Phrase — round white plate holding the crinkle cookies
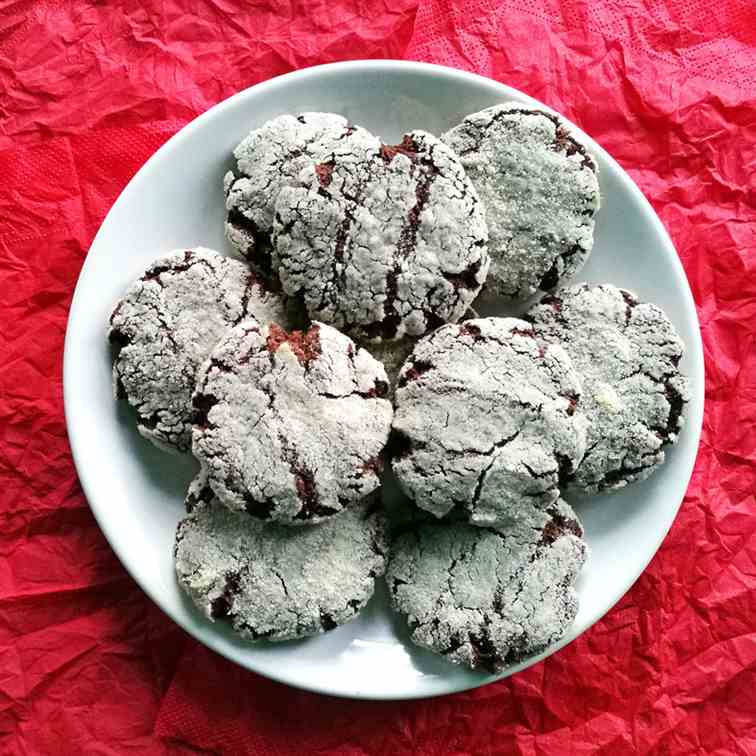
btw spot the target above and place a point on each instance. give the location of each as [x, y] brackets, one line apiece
[136, 491]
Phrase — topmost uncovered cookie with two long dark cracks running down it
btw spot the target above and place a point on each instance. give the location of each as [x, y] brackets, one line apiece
[384, 247]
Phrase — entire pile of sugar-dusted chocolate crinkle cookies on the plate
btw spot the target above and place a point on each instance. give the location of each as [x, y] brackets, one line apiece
[342, 348]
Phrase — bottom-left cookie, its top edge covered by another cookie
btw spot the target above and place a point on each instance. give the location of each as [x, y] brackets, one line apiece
[272, 581]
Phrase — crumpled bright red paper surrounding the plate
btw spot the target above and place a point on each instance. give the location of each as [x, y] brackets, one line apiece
[88, 92]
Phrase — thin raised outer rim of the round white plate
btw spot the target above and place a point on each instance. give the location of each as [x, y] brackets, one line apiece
[694, 421]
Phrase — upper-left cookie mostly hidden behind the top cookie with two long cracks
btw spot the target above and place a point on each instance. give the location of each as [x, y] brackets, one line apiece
[272, 157]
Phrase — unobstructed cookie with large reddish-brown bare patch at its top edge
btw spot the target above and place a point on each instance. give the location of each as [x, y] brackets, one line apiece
[291, 426]
